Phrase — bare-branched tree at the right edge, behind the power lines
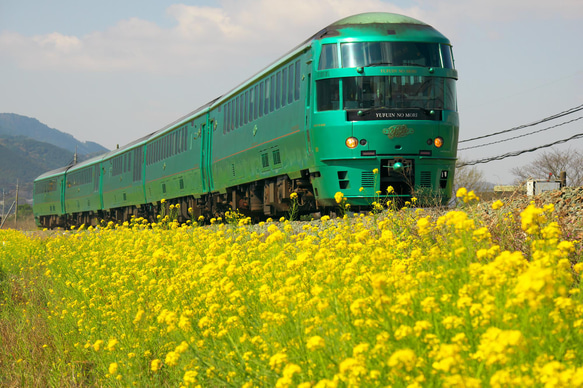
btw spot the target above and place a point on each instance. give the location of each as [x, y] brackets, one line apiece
[553, 162]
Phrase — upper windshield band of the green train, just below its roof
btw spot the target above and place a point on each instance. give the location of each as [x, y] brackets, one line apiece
[363, 54]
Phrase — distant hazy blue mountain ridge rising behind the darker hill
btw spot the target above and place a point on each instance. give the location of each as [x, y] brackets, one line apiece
[16, 125]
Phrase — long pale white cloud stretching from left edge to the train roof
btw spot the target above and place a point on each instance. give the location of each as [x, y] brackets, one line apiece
[203, 38]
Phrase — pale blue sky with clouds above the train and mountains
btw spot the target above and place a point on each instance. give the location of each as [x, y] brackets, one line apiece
[113, 71]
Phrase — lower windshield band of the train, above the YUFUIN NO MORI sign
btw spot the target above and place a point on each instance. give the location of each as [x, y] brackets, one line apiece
[390, 92]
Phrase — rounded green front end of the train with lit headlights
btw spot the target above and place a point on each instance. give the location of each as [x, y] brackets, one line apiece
[384, 122]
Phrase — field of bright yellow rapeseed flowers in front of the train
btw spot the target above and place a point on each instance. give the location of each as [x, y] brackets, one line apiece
[405, 298]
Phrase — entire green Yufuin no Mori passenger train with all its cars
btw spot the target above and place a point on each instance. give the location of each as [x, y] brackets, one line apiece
[365, 104]
